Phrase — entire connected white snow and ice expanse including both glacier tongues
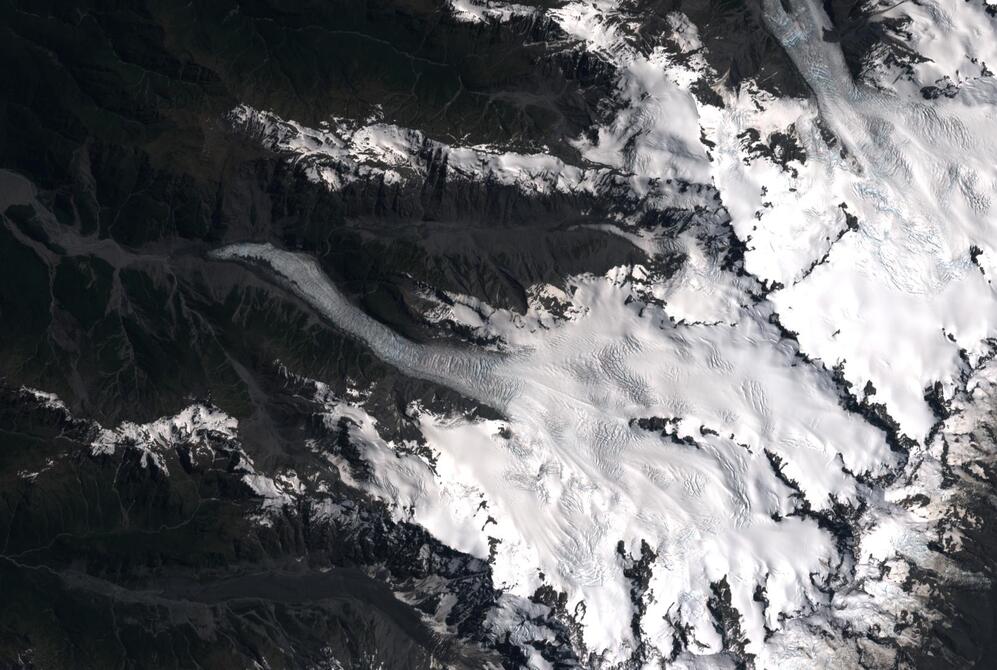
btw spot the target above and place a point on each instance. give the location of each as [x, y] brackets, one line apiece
[755, 441]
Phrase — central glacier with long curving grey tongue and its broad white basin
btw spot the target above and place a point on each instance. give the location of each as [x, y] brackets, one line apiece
[623, 426]
